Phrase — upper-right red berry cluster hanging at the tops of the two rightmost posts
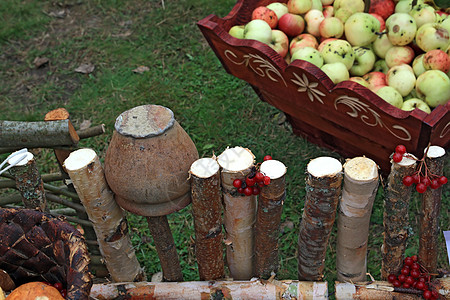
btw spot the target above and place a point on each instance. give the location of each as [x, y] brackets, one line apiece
[423, 178]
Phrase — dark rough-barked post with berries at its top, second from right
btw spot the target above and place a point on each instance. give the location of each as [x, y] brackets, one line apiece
[396, 216]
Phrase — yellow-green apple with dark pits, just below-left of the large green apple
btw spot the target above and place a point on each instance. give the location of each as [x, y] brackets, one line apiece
[338, 51]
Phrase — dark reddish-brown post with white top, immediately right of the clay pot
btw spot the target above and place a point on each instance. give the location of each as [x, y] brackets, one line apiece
[206, 200]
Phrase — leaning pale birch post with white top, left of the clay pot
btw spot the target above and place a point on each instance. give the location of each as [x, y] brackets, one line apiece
[108, 218]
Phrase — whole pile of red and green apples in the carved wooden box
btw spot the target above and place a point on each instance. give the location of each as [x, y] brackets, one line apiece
[399, 49]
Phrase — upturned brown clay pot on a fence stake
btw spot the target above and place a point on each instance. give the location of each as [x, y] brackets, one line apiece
[148, 160]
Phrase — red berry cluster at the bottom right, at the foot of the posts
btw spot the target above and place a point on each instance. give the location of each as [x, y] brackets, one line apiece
[414, 276]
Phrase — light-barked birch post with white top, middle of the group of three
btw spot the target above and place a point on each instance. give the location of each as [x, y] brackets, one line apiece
[239, 212]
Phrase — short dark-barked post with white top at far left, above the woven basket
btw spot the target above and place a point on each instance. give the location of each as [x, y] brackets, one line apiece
[29, 182]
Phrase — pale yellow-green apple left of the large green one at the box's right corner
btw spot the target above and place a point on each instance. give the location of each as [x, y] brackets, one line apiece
[401, 78]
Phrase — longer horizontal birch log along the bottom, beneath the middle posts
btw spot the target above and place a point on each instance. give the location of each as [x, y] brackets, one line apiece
[194, 290]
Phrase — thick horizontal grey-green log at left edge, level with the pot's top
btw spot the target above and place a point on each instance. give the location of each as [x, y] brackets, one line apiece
[37, 134]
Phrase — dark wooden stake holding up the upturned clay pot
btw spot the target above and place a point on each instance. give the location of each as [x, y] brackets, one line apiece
[165, 246]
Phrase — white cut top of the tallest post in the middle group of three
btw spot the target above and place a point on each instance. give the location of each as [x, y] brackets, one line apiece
[236, 159]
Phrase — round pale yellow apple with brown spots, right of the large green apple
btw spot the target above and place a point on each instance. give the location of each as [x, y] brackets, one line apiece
[401, 28]
